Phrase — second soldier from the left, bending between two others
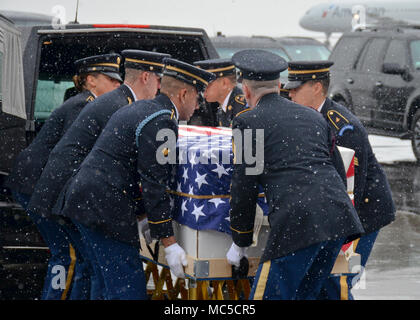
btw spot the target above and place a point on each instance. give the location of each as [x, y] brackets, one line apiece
[142, 80]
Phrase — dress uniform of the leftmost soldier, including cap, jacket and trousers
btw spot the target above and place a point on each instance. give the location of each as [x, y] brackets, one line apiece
[30, 164]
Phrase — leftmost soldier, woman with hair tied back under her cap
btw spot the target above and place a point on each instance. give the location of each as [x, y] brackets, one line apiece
[31, 162]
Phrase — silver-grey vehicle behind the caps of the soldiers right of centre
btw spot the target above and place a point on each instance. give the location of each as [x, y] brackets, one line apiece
[289, 48]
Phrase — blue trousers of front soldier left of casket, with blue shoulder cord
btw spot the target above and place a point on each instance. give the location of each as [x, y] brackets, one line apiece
[119, 264]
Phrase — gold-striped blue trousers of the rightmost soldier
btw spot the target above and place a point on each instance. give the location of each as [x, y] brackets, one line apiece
[339, 287]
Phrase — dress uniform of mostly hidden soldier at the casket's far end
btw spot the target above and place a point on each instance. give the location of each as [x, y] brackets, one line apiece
[234, 102]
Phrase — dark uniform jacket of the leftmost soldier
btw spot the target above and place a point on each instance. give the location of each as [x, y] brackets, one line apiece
[31, 161]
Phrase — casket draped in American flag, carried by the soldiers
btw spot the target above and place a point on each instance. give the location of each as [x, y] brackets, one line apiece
[200, 198]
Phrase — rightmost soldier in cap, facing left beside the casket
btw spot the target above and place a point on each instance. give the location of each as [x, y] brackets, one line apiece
[308, 84]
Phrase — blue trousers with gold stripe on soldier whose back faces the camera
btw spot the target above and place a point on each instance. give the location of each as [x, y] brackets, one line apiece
[297, 276]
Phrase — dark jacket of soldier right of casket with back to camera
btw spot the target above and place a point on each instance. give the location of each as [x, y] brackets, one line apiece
[307, 199]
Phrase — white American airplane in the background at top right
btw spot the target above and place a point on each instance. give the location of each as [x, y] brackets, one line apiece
[337, 16]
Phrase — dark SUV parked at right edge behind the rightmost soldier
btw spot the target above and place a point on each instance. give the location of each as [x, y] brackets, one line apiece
[376, 75]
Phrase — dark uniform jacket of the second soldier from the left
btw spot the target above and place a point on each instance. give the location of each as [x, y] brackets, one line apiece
[71, 150]
